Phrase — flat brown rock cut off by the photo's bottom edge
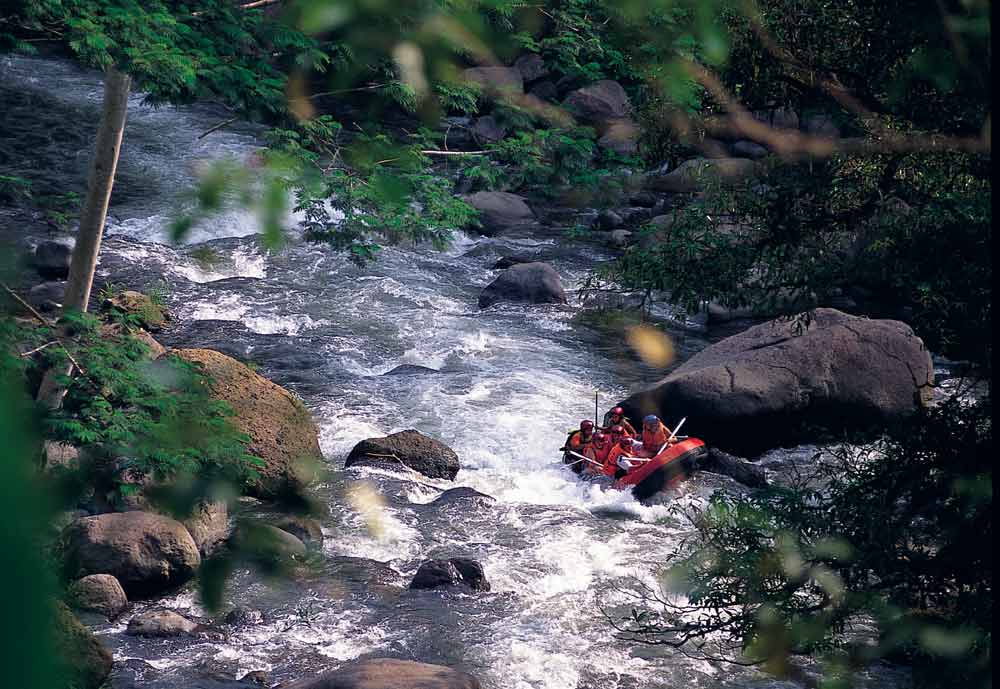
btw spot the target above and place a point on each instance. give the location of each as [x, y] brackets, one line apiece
[388, 673]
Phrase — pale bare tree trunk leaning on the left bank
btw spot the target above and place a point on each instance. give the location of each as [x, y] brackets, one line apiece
[92, 218]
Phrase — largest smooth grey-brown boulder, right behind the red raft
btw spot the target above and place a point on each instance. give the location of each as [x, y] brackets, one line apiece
[762, 387]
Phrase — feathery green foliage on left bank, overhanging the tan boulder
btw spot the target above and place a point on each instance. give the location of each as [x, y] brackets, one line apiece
[155, 419]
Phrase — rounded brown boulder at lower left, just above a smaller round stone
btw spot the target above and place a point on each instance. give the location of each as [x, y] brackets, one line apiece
[146, 552]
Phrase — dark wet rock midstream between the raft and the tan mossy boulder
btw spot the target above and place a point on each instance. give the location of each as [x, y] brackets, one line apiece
[410, 448]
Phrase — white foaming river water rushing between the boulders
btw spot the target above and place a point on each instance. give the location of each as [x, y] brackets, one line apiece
[512, 381]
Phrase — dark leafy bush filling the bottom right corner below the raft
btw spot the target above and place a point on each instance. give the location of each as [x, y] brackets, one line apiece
[893, 533]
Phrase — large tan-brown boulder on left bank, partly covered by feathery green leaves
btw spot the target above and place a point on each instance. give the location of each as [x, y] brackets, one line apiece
[282, 431]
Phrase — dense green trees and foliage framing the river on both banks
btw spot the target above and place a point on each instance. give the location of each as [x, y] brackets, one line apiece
[893, 219]
